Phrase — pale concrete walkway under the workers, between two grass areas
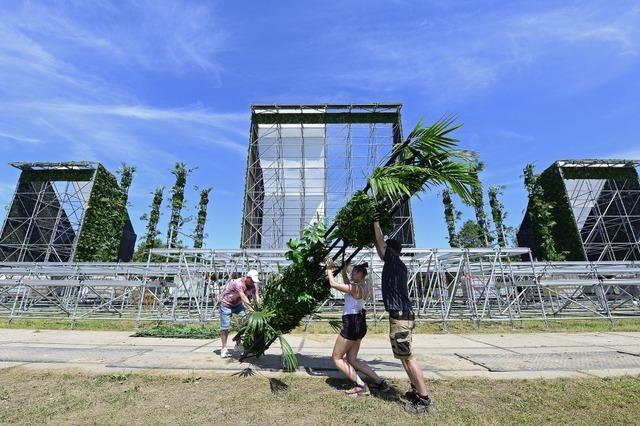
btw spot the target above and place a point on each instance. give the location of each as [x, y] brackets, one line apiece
[499, 356]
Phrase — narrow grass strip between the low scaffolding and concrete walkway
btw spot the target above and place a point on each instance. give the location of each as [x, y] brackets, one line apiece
[323, 327]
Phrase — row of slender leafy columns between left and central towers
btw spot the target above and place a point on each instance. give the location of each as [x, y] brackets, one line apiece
[177, 220]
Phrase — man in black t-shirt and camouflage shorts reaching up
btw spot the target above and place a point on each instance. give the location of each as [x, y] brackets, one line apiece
[395, 295]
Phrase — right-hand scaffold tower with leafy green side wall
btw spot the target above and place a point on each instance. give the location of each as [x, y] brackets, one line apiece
[596, 209]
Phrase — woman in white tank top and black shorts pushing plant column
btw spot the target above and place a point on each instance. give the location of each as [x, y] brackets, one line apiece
[354, 328]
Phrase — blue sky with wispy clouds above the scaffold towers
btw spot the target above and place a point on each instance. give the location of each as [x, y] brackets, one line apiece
[155, 82]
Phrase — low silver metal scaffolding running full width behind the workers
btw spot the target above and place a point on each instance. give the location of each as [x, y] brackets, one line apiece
[479, 285]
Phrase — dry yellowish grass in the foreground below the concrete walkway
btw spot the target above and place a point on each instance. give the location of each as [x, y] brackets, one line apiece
[55, 397]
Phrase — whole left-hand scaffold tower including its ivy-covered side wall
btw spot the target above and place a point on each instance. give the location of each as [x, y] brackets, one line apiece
[63, 212]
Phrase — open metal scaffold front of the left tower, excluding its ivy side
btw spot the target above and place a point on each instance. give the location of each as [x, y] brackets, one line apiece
[47, 213]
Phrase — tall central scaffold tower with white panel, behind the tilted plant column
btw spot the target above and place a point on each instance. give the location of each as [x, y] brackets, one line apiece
[305, 162]
